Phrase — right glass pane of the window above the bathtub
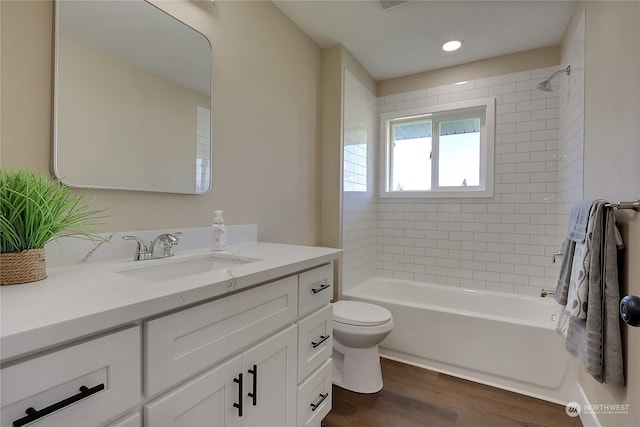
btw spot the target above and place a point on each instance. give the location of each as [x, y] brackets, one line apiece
[459, 153]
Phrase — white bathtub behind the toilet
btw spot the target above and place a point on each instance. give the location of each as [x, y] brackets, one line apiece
[504, 340]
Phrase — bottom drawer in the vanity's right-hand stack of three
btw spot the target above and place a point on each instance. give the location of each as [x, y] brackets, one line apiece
[314, 396]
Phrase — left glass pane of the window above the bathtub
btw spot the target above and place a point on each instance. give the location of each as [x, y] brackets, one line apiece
[411, 157]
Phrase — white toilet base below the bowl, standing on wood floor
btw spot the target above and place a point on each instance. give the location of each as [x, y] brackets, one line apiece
[357, 369]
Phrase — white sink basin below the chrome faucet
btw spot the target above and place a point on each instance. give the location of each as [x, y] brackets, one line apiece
[169, 269]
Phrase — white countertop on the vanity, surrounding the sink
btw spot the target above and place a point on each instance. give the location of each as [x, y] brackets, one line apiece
[82, 300]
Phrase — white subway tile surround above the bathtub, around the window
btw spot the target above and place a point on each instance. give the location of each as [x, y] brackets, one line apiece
[502, 243]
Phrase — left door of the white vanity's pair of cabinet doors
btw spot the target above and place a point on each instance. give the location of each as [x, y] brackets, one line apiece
[206, 401]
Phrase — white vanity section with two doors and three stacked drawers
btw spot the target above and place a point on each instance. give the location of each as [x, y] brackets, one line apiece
[261, 385]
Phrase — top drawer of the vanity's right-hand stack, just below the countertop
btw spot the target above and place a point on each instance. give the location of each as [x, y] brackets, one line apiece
[315, 288]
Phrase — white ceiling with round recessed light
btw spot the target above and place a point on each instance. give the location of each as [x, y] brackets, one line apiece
[407, 38]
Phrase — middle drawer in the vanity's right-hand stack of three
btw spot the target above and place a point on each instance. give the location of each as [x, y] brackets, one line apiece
[315, 341]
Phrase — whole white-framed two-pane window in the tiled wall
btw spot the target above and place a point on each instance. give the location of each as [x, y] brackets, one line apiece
[439, 151]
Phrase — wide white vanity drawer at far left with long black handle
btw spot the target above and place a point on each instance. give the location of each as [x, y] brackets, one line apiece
[109, 367]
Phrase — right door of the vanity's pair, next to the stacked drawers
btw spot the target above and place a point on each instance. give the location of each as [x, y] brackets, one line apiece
[273, 366]
